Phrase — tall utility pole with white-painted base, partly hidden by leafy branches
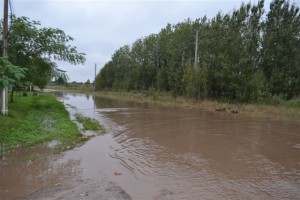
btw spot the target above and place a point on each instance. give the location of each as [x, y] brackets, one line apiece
[4, 109]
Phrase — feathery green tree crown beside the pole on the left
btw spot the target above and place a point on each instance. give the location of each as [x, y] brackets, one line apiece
[35, 48]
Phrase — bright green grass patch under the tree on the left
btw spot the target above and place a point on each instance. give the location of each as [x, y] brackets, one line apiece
[37, 119]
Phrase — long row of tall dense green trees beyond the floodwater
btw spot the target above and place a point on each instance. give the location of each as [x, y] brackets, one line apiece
[246, 55]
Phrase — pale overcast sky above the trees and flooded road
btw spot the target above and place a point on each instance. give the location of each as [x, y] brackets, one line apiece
[100, 27]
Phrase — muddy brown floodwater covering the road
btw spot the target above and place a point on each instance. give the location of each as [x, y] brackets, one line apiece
[167, 153]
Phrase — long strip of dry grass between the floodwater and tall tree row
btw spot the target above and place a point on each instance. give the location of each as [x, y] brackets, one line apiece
[276, 109]
